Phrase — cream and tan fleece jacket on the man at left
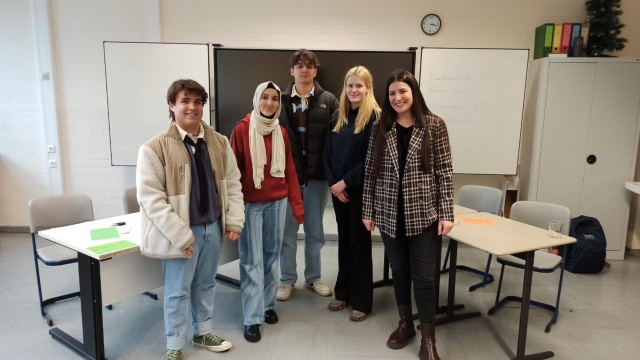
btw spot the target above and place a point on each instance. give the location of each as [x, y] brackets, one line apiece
[163, 180]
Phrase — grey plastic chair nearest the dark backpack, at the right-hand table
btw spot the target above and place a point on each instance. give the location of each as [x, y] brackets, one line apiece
[537, 214]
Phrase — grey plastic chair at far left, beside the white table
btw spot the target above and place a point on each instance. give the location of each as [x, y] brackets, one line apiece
[54, 211]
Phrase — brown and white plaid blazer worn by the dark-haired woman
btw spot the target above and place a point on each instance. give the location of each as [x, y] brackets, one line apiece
[427, 197]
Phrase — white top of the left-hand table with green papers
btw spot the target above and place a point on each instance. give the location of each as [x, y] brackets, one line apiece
[78, 238]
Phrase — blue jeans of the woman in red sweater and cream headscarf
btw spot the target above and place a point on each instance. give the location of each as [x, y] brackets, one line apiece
[259, 246]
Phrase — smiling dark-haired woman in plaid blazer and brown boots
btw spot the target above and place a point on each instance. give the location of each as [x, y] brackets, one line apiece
[408, 195]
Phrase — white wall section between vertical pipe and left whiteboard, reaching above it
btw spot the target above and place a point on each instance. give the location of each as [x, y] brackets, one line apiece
[79, 28]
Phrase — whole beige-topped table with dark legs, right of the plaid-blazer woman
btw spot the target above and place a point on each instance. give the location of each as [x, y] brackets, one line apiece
[501, 237]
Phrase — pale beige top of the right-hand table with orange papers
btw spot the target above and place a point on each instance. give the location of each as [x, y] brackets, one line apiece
[505, 236]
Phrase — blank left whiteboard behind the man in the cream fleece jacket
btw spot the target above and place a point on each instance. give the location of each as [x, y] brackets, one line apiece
[138, 76]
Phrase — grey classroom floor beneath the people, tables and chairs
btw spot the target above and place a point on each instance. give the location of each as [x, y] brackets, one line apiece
[599, 318]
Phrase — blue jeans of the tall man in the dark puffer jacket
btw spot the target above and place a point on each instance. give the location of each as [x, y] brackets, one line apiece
[314, 197]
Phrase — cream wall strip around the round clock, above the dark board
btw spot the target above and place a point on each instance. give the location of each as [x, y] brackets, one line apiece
[362, 24]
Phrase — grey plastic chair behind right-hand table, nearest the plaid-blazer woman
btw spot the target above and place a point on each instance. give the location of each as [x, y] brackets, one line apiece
[483, 199]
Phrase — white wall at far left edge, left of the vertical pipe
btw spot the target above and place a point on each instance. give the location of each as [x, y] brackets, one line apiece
[23, 170]
